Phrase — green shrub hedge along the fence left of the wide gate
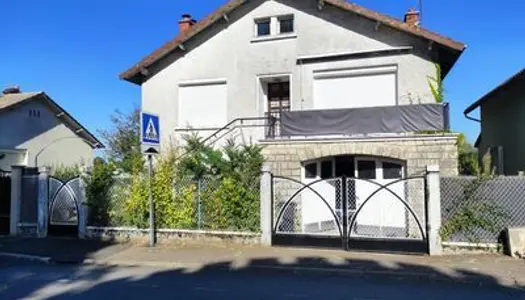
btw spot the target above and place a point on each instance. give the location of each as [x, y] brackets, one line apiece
[224, 181]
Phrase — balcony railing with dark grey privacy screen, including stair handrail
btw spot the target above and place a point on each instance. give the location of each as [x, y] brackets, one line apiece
[328, 124]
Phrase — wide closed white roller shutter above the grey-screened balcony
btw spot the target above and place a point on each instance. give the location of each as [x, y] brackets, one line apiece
[355, 88]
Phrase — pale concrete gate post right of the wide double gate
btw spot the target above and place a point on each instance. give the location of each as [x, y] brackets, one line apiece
[433, 209]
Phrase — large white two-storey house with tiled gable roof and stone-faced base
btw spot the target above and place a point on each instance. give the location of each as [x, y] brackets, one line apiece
[328, 87]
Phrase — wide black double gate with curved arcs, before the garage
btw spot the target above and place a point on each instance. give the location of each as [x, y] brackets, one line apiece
[351, 213]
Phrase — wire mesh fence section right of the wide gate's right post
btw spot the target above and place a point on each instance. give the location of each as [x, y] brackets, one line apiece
[478, 210]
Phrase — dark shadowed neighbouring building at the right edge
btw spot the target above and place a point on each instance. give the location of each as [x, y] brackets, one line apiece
[503, 125]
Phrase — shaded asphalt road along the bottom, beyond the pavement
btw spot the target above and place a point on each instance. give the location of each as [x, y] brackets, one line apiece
[25, 280]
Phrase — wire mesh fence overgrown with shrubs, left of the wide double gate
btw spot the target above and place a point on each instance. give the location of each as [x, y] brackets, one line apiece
[209, 203]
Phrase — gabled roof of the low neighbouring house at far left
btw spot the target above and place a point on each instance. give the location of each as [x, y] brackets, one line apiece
[12, 101]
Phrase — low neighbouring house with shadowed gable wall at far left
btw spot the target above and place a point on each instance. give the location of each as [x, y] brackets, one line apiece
[35, 131]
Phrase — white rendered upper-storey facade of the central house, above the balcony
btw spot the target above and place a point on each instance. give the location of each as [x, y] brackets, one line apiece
[223, 73]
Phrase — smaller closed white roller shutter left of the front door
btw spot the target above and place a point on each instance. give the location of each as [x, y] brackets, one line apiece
[203, 105]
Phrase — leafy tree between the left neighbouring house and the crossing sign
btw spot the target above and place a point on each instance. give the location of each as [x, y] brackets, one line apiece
[123, 140]
